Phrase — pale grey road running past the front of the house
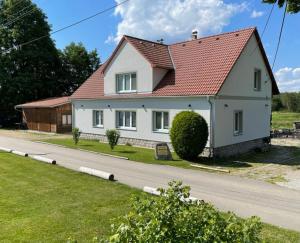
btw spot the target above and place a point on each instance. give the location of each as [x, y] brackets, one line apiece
[274, 204]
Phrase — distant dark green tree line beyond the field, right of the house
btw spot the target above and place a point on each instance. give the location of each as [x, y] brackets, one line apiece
[286, 101]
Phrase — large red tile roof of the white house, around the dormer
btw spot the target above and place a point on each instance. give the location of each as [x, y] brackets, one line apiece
[196, 67]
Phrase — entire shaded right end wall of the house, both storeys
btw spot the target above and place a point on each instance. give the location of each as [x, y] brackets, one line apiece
[237, 93]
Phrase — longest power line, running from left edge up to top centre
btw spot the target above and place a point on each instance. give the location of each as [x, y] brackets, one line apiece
[66, 27]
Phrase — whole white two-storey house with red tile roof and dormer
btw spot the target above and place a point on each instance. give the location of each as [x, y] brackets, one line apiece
[226, 78]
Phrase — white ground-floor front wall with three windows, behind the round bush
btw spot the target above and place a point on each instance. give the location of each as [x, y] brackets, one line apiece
[83, 114]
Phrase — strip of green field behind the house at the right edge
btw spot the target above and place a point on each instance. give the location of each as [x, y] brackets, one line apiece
[284, 119]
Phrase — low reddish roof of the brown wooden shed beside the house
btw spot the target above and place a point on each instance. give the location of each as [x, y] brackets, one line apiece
[47, 103]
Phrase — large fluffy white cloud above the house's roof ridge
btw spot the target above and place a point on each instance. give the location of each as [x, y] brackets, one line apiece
[173, 19]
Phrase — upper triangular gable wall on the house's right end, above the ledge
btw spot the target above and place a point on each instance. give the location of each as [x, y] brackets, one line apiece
[240, 81]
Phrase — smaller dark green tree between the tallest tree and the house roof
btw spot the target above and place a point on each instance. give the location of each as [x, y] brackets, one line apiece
[77, 64]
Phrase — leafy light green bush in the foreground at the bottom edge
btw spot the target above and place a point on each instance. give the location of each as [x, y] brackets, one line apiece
[174, 218]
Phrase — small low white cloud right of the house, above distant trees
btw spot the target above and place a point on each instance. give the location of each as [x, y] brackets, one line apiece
[288, 79]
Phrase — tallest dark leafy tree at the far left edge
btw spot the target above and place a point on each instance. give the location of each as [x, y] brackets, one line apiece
[27, 72]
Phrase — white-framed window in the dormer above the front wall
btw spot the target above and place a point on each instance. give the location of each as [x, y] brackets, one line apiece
[126, 82]
